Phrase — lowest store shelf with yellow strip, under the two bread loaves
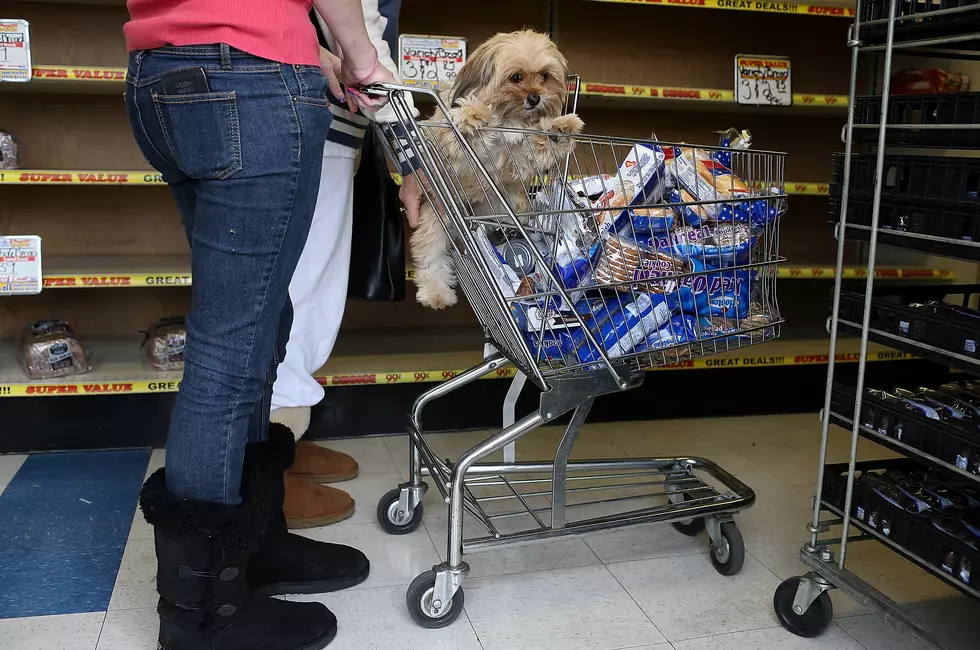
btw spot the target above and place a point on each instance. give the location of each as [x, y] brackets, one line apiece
[379, 357]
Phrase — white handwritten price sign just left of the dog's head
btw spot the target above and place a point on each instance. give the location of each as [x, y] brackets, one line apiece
[430, 61]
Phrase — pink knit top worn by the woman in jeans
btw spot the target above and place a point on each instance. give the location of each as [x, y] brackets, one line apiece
[279, 30]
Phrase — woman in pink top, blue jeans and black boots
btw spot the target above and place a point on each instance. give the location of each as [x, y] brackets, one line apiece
[228, 101]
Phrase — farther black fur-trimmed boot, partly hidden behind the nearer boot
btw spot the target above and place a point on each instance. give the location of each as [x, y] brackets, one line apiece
[287, 563]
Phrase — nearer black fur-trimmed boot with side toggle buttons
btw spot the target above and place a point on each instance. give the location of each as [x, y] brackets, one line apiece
[203, 552]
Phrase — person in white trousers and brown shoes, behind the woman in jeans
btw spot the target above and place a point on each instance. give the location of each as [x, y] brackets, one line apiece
[318, 292]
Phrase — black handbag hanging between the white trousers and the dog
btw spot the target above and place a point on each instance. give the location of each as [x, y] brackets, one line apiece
[377, 261]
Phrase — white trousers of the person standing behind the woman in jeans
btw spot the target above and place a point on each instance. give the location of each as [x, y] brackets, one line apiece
[318, 289]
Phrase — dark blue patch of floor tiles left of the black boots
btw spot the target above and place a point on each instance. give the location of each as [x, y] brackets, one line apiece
[64, 522]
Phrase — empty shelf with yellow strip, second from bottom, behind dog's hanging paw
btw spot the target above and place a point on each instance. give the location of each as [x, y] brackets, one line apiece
[103, 272]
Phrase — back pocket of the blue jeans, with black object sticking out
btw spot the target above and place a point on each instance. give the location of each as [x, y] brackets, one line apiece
[202, 132]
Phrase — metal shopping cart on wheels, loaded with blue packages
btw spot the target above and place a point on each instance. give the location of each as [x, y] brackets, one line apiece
[583, 295]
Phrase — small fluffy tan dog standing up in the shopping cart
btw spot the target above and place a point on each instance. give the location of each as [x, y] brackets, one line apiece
[515, 80]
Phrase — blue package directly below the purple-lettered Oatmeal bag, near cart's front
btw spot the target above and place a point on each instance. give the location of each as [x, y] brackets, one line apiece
[722, 294]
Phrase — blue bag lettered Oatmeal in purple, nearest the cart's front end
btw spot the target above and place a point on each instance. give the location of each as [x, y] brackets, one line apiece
[712, 247]
